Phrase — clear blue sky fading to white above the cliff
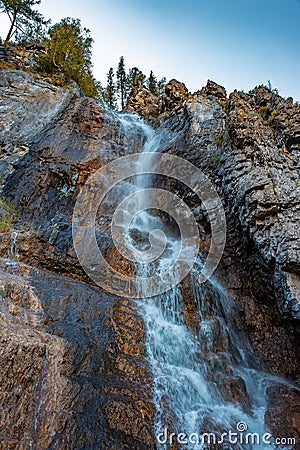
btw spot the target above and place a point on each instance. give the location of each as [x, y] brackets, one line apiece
[236, 43]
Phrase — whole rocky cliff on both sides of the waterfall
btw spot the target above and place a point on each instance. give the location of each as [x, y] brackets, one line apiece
[73, 366]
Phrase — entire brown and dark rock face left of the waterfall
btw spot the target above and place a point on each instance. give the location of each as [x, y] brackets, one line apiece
[73, 369]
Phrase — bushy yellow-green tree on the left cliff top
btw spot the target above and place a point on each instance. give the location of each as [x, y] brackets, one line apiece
[68, 57]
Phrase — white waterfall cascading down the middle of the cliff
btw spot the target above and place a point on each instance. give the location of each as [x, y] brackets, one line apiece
[210, 382]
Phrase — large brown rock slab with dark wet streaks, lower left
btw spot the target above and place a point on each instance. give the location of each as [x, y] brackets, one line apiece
[65, 382]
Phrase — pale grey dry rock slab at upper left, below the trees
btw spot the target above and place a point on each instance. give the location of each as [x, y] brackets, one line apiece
[28, 104]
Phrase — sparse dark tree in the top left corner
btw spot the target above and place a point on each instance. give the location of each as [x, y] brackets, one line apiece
[25, 22]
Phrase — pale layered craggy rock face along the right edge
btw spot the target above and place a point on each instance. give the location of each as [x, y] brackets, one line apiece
[263, 186]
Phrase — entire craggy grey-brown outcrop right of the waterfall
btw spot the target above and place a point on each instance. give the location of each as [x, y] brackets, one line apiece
[246, 156]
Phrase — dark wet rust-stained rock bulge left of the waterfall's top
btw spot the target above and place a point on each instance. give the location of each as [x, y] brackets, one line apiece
[47, 179]
